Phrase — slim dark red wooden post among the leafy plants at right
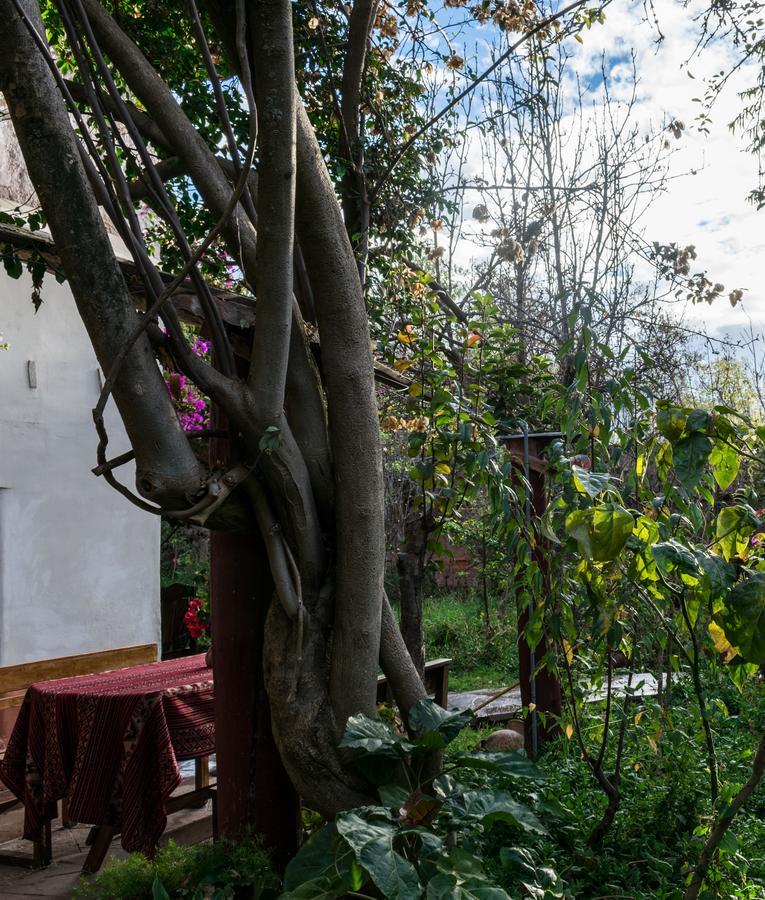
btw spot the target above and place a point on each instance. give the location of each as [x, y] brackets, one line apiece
[548, 691]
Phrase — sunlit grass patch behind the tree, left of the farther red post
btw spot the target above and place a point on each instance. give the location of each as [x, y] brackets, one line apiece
[453, 627]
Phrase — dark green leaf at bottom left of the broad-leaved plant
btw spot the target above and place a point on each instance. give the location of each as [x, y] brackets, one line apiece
[326, 861]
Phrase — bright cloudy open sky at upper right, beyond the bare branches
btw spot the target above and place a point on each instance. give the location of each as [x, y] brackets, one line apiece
[708, 209]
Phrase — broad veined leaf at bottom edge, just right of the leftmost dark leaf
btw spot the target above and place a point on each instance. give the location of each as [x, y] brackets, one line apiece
[371, 836]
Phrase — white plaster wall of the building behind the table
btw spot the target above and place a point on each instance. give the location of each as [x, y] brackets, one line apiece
[79, 565]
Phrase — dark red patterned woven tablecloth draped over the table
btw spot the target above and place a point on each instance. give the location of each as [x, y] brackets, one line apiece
[109, 743]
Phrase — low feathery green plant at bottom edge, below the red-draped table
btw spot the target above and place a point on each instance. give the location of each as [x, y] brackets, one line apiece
[201, 872]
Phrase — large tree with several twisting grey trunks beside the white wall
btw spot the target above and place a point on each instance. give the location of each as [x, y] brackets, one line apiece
[302, 461]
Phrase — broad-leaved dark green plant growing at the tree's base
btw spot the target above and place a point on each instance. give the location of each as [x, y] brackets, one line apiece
[425, 836]
